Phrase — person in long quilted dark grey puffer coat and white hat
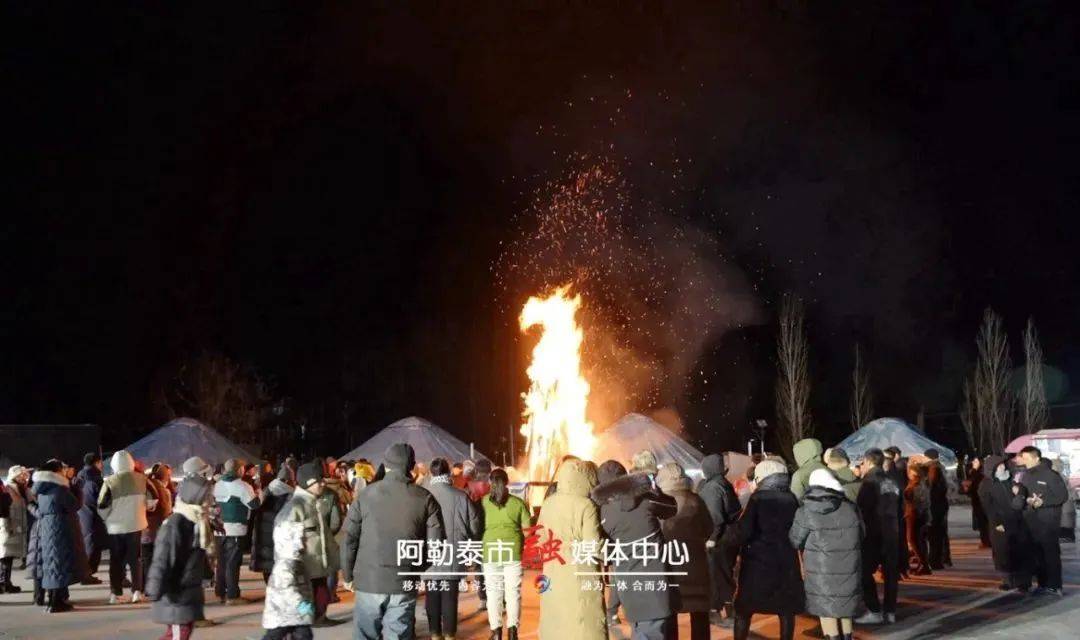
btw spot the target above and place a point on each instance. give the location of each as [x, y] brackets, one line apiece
[829, 530]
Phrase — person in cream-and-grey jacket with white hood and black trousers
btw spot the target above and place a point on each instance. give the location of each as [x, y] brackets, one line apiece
[123, 503]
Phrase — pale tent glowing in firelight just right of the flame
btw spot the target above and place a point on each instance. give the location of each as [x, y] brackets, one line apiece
[636, 433]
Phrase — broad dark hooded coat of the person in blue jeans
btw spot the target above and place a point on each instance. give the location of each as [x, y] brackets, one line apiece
[386, 512]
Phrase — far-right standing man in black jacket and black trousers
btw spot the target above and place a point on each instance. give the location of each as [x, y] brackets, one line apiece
[1043, 514]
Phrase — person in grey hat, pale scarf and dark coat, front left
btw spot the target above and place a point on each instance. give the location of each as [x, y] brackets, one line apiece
[174, 583]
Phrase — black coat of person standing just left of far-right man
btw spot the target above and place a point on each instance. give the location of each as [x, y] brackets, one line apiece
[1005, 510]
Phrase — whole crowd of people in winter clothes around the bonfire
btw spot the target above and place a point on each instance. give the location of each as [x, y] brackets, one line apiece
[817, 539]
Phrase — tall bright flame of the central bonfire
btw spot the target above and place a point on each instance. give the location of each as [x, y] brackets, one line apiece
[556, 403]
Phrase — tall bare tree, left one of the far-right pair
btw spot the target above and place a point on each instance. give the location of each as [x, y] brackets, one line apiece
[990, 388]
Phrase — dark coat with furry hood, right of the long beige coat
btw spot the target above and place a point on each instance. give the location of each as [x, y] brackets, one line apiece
[631, 509]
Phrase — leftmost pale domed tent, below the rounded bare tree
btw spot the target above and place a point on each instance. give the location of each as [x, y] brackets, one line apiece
[181, 440]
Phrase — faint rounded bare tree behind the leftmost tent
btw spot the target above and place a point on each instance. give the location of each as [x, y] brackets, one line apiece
[214, 389]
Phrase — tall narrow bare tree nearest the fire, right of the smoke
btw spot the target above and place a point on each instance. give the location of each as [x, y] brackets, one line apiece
[793, 384]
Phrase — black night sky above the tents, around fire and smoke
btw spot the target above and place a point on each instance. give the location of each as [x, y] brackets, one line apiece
[320, 193]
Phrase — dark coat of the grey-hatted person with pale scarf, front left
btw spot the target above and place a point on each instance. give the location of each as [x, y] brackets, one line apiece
[174, 583]
